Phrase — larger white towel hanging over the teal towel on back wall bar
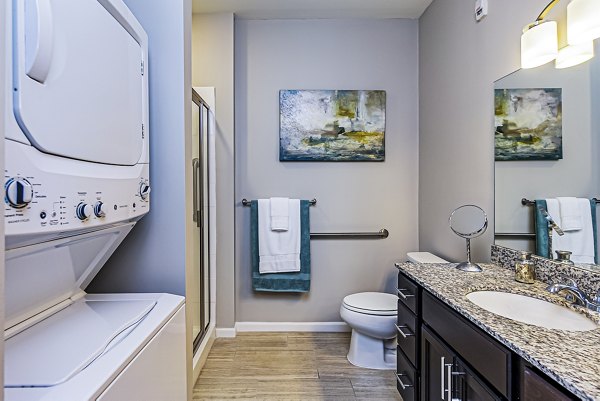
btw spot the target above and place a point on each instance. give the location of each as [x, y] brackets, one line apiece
[278, 251]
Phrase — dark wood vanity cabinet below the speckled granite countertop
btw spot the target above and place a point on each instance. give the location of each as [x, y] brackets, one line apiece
[444, 357]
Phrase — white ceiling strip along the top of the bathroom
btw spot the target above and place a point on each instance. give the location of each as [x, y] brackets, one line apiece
[292, 9]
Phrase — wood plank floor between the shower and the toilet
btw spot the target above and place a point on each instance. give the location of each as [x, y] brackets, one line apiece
[289, 367]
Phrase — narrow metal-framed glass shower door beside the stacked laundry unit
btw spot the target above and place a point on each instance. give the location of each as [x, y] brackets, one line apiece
[199, 299]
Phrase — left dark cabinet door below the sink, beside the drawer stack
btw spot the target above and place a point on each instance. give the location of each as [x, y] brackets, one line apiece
[436, 369]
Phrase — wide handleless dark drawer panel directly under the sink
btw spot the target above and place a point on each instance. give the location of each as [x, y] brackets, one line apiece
[490, 359]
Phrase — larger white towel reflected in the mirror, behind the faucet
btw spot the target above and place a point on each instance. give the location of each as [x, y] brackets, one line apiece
[580, 242]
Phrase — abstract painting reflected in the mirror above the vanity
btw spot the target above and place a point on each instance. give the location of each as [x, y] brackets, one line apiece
[528, 124]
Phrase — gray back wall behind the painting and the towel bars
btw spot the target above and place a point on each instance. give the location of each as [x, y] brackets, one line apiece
[327, 54]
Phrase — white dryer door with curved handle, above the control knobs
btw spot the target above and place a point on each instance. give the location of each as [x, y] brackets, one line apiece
[79, 87]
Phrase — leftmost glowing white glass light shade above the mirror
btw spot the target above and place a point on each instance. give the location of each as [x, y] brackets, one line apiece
[539, 44]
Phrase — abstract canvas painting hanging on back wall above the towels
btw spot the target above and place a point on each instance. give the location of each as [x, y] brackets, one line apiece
[332, 125]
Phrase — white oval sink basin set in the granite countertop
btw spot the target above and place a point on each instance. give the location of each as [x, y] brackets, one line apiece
[531, 311]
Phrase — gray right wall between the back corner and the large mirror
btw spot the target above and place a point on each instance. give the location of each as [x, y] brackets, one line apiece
[458, 62]
